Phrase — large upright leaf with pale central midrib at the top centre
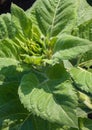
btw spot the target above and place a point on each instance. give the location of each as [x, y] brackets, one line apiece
[51, 16]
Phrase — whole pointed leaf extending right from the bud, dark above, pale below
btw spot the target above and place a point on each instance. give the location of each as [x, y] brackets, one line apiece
[69, 47]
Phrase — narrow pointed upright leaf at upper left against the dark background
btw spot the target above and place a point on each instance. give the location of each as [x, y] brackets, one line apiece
[21, 21]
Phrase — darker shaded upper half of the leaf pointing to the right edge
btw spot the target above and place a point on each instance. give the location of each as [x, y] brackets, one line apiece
[69, 41]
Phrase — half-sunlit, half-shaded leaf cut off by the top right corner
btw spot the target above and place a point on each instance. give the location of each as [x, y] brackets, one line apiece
[83, 27]
